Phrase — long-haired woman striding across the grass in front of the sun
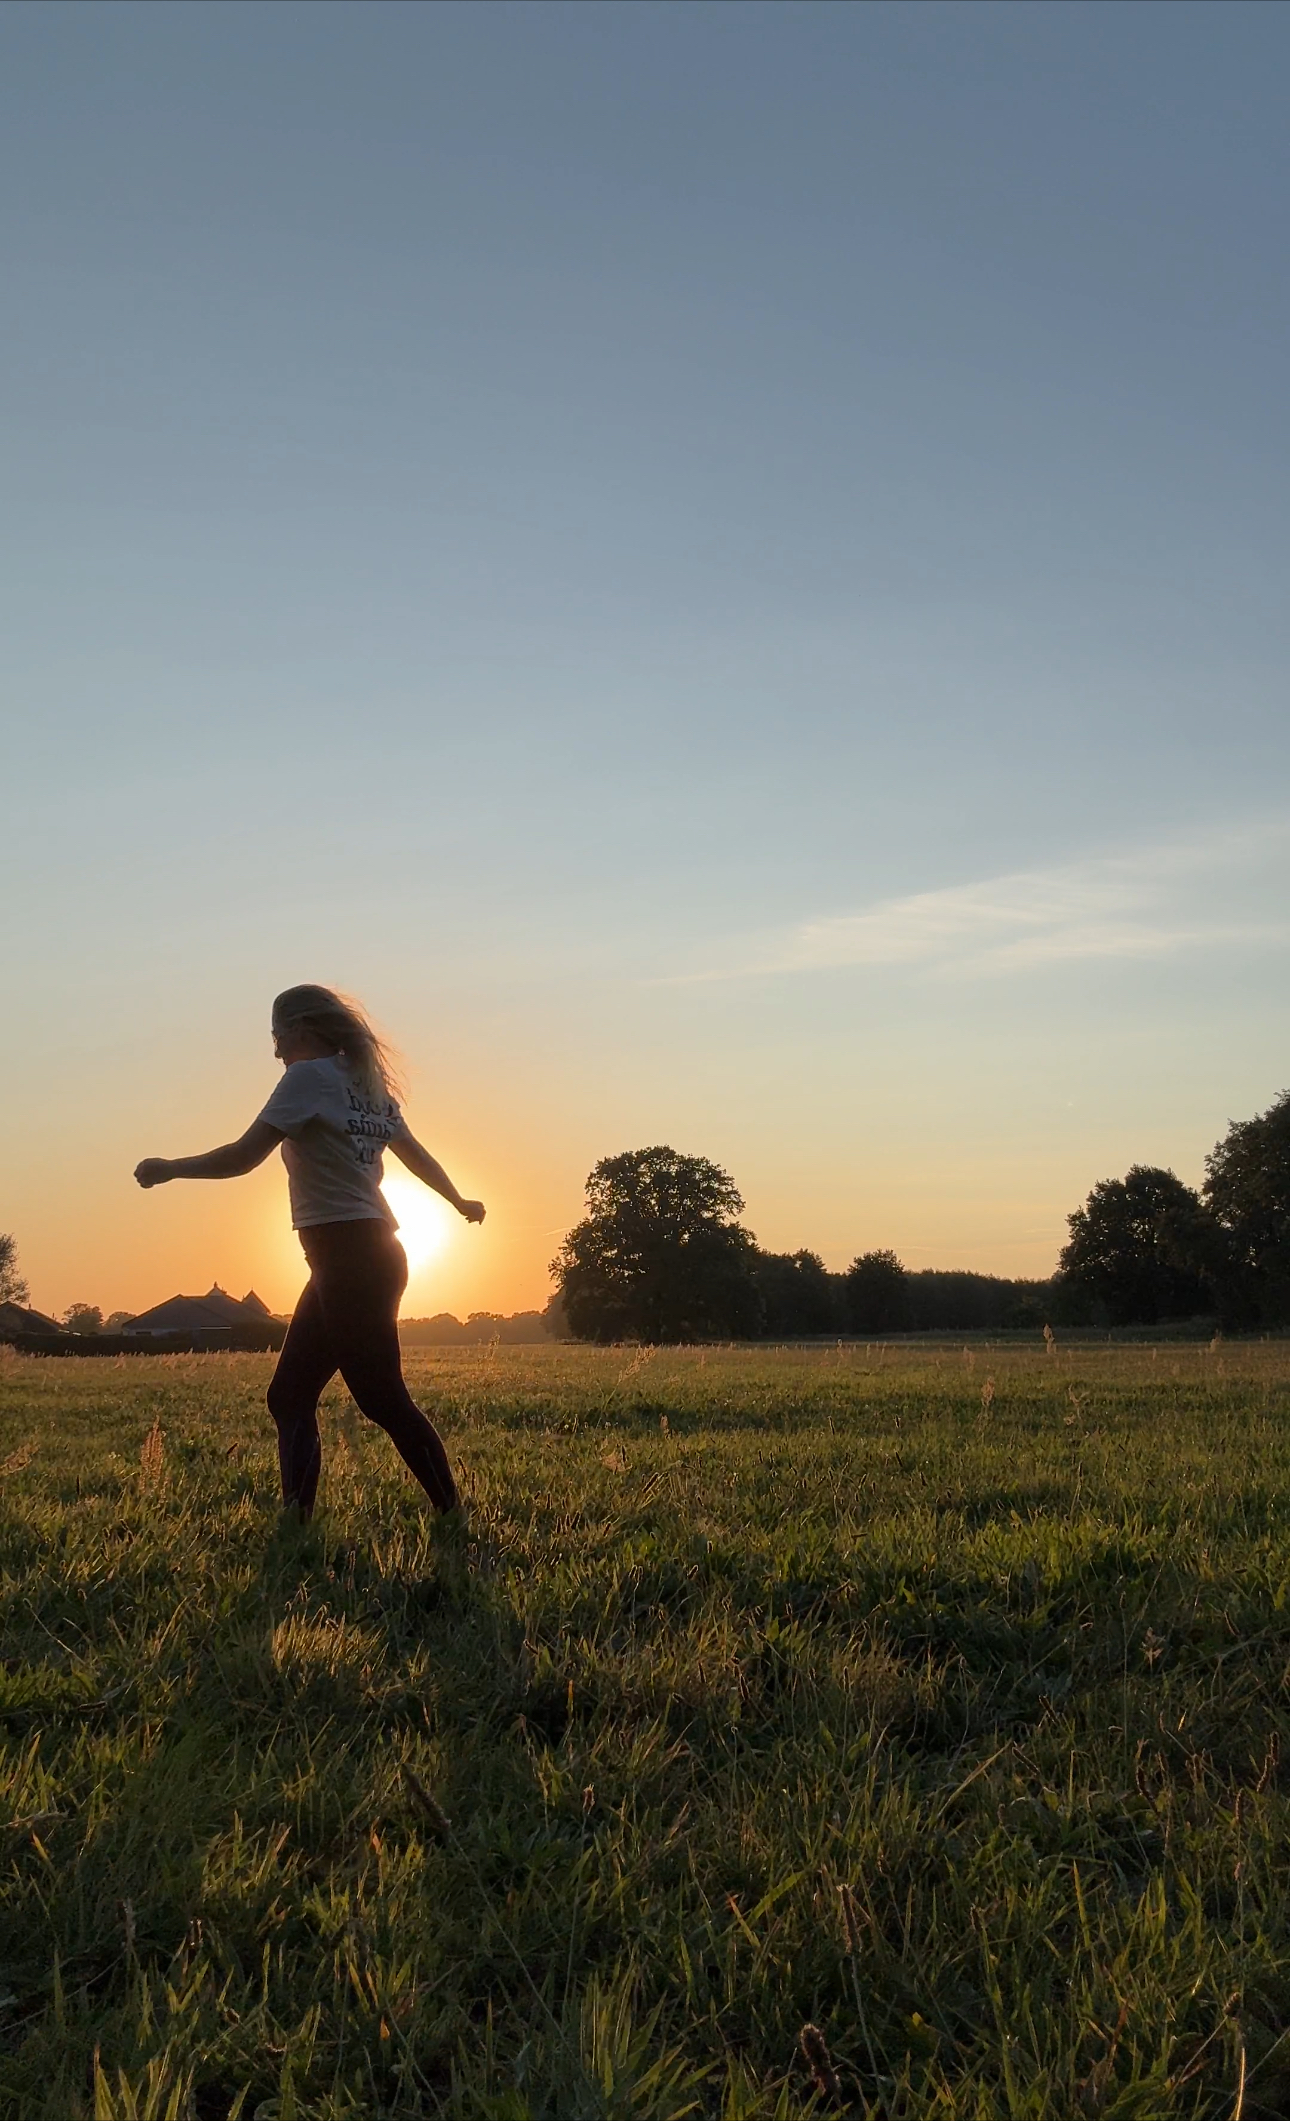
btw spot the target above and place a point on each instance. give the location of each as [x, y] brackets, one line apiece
[334, 1112]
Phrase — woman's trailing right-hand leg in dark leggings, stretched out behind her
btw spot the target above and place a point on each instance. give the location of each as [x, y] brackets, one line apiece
[362, 1276]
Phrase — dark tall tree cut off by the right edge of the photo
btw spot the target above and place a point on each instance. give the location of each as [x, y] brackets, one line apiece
[1249, 1193]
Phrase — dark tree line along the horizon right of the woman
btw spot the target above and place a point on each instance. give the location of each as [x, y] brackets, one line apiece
[663, 1257]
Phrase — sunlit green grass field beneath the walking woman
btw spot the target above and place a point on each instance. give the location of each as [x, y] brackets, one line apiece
[935, 1700]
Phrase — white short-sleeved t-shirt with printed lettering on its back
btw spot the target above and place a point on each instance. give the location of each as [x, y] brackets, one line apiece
[334, 1142]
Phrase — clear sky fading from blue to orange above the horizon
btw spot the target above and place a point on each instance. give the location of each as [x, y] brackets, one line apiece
[725, 565]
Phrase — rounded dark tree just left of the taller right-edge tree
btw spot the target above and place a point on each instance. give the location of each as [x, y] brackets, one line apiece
[1143, 1250]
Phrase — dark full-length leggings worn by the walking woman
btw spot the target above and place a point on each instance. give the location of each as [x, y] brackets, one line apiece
[347, 1320]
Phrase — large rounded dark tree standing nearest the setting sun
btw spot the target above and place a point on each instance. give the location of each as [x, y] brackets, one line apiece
[659, 1255]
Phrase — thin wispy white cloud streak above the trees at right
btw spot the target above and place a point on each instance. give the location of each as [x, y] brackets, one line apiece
[1149, 905]
